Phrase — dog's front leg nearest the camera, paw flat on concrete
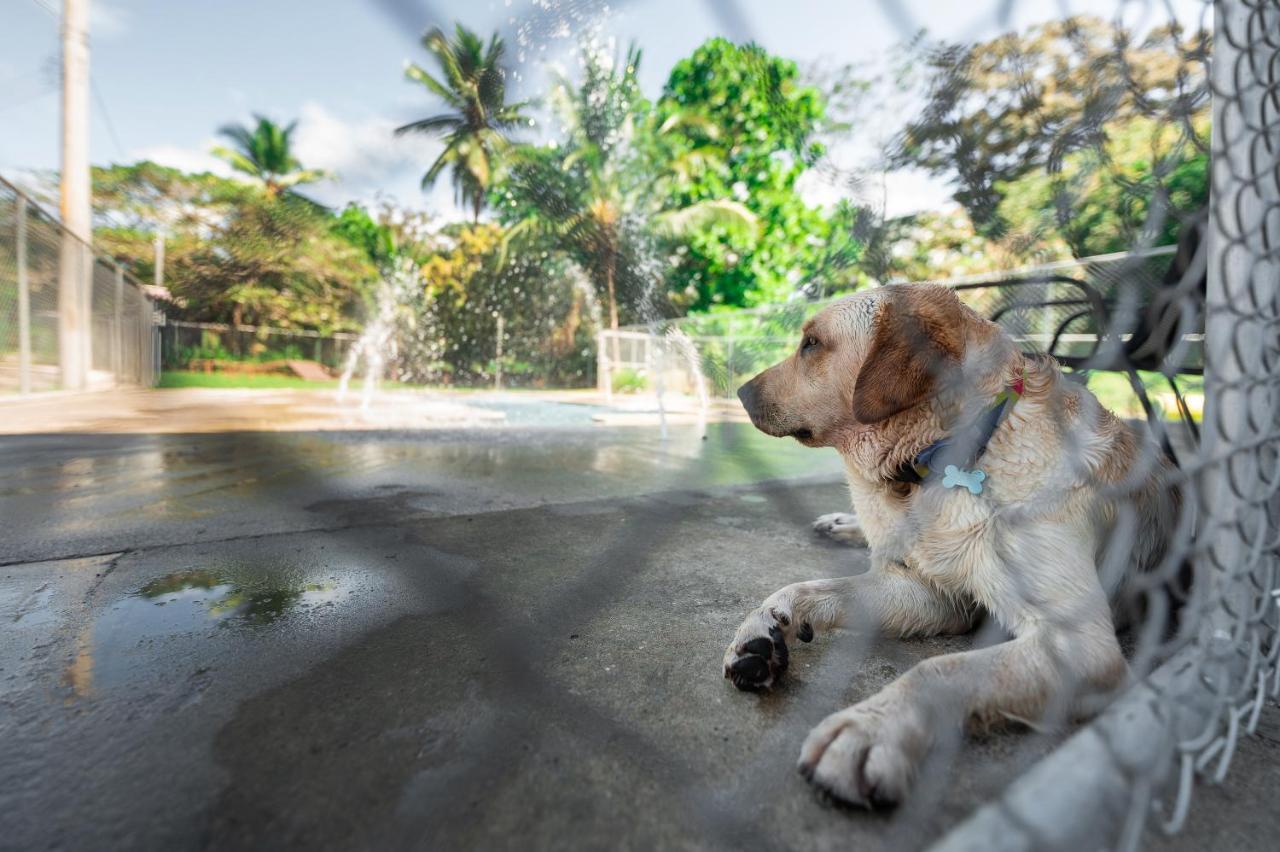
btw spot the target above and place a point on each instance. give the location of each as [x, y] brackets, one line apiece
[1064, 654]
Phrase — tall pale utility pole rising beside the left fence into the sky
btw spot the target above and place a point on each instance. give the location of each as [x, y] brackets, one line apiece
[76, 260]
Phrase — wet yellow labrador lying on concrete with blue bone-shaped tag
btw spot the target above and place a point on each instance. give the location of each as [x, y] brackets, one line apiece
[984, 482]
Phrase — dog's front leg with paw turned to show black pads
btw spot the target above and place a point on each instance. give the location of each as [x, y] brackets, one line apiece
[889, 599]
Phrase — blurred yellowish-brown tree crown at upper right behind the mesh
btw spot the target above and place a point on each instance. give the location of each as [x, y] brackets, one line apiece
[1022, 103]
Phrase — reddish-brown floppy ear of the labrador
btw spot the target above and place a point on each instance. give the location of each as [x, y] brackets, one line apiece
[917, 341]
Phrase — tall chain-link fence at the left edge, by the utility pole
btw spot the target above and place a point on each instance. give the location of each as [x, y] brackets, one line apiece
[122, 345]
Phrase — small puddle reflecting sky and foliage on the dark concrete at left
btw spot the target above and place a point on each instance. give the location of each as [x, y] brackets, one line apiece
[199, 607]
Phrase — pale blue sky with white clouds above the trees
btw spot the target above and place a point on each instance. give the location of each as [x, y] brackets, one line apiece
[168, 74]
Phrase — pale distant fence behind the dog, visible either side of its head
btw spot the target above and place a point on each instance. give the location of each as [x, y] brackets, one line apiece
[1054, 308]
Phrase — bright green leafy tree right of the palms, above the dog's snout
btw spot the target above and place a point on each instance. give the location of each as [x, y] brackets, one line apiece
[738, 125]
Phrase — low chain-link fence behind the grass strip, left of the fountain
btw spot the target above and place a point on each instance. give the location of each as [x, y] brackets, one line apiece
[193, 345]
